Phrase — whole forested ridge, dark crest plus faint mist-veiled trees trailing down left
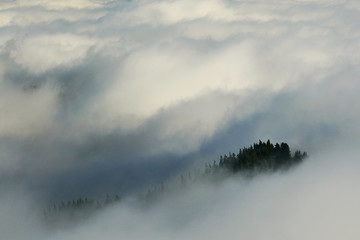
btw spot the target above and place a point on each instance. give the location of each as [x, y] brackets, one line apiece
[259, 158]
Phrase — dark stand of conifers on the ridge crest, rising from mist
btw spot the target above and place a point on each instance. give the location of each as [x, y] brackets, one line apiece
[259, 158]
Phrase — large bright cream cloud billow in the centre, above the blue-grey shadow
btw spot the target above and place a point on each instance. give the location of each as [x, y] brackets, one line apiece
[162, 77]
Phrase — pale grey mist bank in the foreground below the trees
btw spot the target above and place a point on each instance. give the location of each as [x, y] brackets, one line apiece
[318, 199]
